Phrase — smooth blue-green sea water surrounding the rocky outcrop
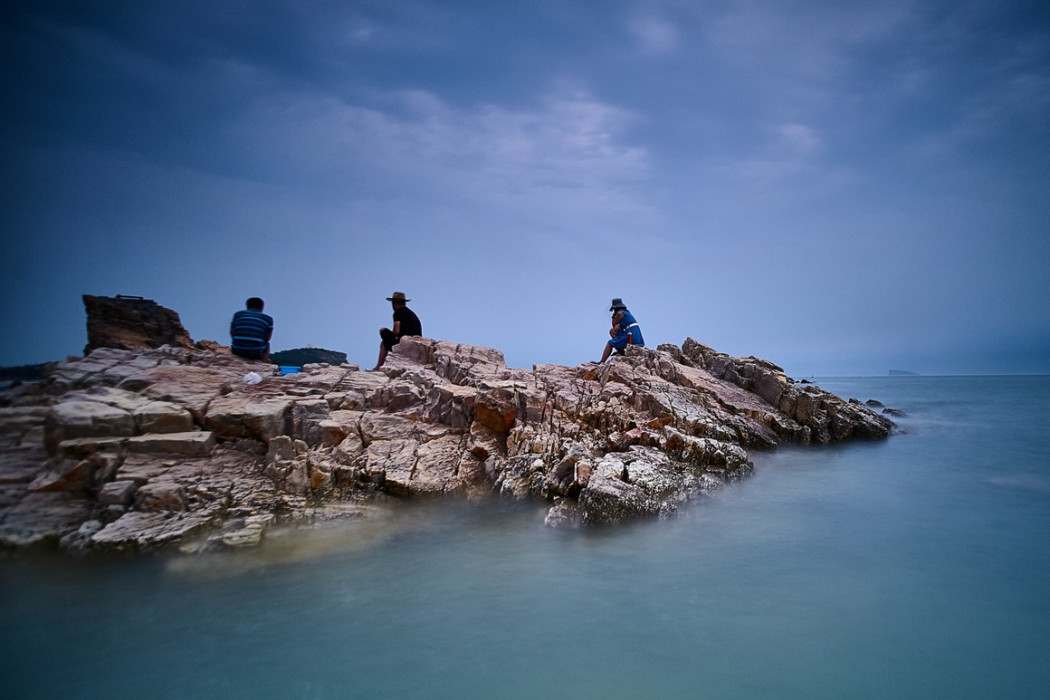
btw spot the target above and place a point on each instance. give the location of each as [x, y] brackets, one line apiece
[916, 567]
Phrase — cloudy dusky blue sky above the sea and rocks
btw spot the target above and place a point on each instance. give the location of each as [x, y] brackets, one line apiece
[842, 188]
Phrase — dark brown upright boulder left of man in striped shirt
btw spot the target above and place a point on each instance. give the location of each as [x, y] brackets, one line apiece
[131, 324]
